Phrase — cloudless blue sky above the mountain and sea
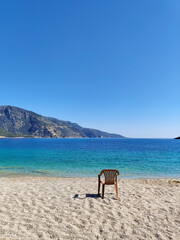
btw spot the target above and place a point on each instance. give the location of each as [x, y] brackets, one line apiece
[110, 65]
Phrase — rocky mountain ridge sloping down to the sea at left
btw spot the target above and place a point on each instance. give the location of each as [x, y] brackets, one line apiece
[18, 122]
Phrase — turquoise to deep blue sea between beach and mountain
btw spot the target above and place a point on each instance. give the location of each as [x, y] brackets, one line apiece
[134, 158]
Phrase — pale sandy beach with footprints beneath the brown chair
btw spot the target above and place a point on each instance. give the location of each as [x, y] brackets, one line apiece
[56, 208]
